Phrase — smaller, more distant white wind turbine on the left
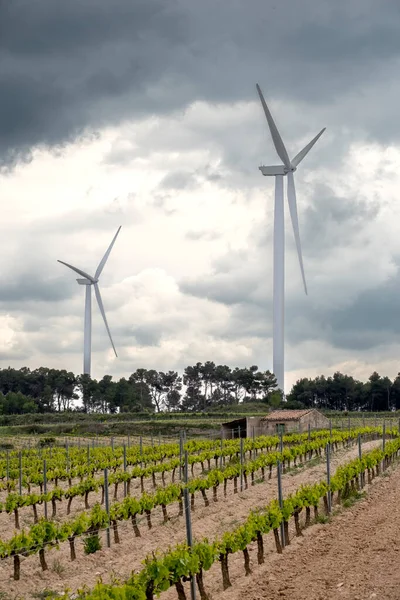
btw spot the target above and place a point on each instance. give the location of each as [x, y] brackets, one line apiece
[90, 281]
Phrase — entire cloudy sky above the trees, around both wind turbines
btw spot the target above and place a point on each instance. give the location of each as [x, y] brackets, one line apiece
[144, 113]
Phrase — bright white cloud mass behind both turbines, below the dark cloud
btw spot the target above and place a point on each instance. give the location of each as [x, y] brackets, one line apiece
[193, 207]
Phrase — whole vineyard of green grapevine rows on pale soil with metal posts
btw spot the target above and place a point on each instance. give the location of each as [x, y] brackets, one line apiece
[71, 515]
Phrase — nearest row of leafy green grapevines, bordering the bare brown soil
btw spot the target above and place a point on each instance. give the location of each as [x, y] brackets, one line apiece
[181, 563]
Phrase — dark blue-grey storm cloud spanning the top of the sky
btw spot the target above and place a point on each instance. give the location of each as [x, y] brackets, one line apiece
[66, 67]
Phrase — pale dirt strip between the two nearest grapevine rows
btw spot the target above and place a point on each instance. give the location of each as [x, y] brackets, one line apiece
[121, 559]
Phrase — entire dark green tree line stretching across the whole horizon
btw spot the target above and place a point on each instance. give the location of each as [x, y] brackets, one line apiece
[201, 387]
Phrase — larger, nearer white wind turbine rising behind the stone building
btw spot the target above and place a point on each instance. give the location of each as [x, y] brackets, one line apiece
[287, 168]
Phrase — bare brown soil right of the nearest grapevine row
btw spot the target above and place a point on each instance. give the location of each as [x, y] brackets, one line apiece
[354, 557]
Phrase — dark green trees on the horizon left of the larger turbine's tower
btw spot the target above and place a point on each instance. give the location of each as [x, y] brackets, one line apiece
[201, 387]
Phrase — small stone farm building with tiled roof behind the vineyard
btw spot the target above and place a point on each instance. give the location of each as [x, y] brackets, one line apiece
[274, 422]
